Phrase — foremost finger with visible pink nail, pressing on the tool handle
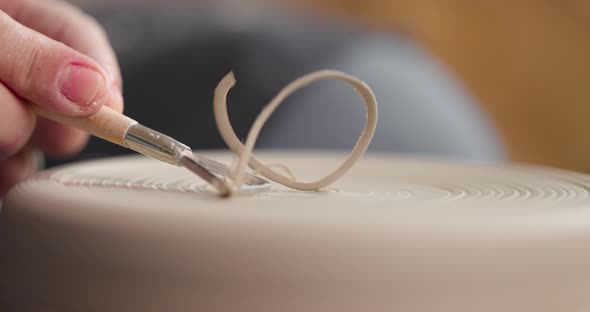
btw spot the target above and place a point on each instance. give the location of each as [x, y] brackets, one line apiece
[48, 73]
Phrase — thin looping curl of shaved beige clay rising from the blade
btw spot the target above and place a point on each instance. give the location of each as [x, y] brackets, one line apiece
[244, 151]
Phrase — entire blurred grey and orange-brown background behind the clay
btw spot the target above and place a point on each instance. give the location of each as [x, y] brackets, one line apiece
[460, 79]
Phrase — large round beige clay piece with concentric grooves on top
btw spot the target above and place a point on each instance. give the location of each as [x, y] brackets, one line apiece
[133, 234]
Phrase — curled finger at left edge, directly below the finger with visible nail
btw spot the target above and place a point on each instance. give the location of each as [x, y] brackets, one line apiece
[16, 125]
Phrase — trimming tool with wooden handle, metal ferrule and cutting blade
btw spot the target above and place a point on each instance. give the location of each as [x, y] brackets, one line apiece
[117, 128]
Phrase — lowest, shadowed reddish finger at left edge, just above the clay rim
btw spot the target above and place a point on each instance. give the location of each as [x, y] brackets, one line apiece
[15, 169]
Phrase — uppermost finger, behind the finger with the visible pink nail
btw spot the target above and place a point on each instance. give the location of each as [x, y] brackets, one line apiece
[67, 24]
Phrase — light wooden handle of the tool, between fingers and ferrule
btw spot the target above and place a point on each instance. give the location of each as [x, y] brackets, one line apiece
[106, 123]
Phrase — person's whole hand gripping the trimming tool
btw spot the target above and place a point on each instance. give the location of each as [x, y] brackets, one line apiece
[57, 57]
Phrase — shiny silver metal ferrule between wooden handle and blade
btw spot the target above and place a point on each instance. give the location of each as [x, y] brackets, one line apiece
[154, 144]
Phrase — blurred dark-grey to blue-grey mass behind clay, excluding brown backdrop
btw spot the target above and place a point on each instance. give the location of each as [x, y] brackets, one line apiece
[172, 59]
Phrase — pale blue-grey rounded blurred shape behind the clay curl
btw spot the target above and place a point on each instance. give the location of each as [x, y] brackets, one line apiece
[422, 109]
